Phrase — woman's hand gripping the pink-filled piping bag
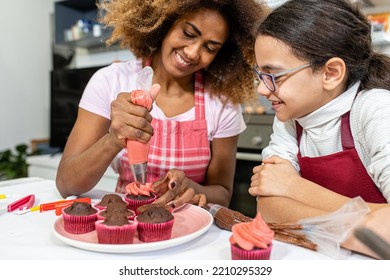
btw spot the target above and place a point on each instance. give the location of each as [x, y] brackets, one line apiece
[130, 121]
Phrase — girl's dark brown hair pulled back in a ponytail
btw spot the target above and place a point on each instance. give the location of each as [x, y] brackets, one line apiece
[318, 30]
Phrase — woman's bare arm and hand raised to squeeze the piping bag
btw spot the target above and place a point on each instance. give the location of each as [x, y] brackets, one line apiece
[95, 141]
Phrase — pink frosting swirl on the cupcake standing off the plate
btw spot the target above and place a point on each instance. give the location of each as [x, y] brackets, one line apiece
[253, 234]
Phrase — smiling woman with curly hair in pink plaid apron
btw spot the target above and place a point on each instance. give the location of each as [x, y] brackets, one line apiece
[202, 54]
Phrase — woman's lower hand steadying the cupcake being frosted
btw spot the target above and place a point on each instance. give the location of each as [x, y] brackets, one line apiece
[175, 189]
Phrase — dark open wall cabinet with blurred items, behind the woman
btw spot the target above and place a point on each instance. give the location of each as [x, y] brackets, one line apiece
[75, 24]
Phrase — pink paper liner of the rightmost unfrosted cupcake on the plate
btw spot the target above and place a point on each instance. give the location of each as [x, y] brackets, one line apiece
[150, 232]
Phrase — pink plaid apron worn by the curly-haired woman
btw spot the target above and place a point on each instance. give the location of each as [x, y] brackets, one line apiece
[181, 145]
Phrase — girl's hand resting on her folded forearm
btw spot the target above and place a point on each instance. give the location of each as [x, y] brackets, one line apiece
[275, 177]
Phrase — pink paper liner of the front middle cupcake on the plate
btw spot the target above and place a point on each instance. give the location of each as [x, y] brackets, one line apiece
[116, 234]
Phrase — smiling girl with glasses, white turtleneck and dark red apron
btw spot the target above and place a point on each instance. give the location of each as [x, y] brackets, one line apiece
[331, 96]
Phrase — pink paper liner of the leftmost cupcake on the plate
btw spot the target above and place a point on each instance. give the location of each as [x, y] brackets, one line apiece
[79, 224]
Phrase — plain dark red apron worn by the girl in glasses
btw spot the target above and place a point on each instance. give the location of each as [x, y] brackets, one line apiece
[341, 172]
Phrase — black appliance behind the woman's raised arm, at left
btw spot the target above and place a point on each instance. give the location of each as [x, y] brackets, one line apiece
[67, 86]
